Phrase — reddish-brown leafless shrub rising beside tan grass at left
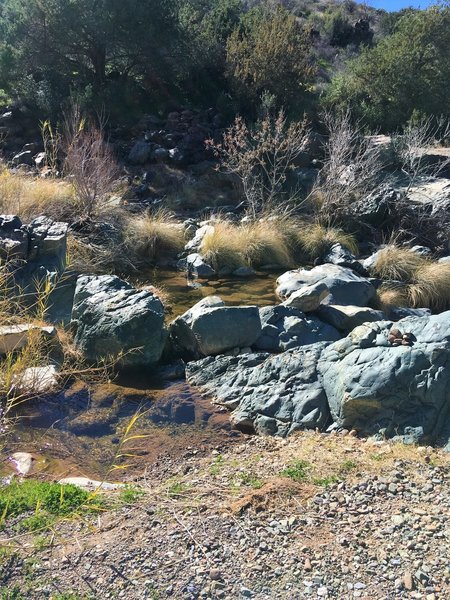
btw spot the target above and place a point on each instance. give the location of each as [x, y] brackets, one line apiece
[89, 161]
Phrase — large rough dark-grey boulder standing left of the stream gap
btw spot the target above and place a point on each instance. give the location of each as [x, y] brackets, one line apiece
[112, 319]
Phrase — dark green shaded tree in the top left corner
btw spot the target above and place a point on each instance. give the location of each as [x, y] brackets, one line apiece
[65, 45]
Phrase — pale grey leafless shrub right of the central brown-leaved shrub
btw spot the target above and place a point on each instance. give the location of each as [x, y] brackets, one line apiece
[351, 167]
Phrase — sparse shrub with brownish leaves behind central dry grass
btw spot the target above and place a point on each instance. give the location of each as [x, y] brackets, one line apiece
[261, 157]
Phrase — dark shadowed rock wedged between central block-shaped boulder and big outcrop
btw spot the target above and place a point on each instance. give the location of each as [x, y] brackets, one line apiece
[284, 328]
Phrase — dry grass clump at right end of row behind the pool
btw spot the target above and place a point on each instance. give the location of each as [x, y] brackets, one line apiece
[314, 240]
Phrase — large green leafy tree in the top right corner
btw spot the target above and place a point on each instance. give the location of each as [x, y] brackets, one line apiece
[407, 71]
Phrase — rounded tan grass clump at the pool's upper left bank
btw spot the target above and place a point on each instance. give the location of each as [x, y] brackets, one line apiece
[153, 237]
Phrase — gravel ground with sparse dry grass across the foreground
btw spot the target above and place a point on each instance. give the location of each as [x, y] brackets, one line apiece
[363, 520]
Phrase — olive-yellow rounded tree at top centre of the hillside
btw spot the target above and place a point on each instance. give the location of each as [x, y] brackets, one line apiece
[269, 51]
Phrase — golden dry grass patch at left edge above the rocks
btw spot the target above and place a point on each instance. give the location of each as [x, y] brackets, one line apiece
[29, 197]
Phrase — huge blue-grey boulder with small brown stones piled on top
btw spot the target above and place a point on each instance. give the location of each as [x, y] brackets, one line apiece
[401, 391]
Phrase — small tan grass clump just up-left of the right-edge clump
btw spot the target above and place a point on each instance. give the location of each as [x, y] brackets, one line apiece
[398, 263]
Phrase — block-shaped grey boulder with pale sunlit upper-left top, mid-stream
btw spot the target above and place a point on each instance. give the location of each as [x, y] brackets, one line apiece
[210, 328]
